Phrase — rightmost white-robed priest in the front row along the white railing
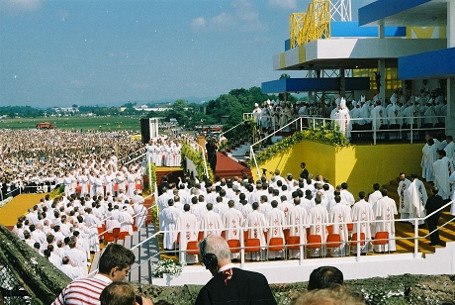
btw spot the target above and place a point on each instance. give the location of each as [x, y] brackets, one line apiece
[385, 210]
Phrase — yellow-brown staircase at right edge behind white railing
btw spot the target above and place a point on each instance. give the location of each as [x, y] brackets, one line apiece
[406, 229]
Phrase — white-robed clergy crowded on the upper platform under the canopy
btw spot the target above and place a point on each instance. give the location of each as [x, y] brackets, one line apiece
[398, 111]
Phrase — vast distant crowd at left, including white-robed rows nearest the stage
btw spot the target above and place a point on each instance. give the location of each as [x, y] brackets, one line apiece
[39, 160]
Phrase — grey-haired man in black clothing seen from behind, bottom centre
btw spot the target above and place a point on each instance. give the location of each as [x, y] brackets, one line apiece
[230, 285]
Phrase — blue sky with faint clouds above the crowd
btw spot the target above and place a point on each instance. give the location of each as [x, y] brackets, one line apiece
[98, 52]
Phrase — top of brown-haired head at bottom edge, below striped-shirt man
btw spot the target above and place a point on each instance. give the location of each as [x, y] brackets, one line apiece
[118, 293]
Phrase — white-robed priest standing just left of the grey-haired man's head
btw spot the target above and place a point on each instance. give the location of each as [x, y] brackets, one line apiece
[187, 229]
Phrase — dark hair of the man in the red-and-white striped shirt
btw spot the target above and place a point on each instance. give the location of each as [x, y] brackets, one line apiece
[115, 256]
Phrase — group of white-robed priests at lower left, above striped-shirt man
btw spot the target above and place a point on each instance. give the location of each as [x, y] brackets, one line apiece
[65, 229]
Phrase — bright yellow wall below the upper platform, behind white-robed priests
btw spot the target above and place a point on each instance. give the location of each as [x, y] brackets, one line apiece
[358, 165]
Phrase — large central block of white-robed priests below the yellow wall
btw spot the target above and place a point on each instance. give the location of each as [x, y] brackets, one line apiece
[282, 208]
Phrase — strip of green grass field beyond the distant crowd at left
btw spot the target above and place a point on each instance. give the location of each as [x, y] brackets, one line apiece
[107, 123]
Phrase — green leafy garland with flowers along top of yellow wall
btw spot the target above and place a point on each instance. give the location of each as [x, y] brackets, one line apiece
[324, 134]
